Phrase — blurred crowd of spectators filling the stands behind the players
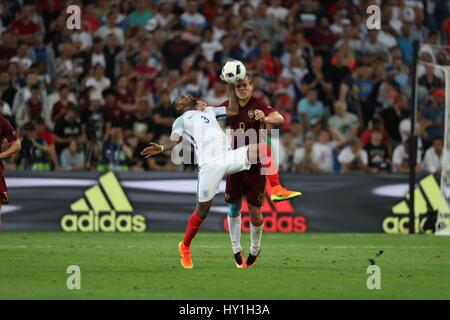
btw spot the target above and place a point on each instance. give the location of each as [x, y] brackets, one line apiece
[90, 99]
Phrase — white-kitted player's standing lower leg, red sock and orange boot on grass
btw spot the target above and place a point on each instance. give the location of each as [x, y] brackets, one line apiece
[194, 222]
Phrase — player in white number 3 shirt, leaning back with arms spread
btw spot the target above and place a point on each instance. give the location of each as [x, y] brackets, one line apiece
[214, 154]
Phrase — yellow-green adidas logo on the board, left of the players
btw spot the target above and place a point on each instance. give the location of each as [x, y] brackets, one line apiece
[105, 208]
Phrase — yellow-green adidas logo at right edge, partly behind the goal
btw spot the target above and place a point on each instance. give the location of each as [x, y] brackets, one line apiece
[427, 198]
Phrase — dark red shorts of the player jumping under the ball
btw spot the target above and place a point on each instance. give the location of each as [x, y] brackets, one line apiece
[249, 183]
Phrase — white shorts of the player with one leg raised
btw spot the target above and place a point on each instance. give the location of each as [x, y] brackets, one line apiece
[212, 173]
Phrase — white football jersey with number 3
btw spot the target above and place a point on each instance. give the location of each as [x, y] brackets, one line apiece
[203, 131]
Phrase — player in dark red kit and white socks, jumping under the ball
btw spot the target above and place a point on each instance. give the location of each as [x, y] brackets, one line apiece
[253, 114]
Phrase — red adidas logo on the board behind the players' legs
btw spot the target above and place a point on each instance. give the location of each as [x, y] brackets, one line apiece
[278, 217]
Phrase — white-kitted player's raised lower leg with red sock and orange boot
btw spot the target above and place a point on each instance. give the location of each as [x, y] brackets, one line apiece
[278, 192]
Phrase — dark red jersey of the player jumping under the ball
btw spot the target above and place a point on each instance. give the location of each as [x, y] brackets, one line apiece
[246, 118]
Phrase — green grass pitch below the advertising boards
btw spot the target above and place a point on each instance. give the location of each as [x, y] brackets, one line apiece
[291, 266]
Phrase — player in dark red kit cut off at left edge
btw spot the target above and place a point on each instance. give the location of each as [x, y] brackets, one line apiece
[6, 132]
